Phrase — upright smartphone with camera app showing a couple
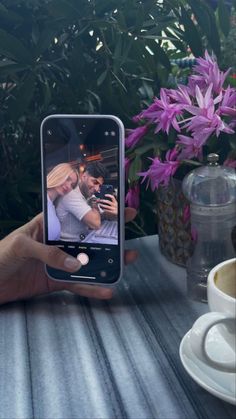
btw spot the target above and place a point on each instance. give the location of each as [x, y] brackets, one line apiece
[83, 156]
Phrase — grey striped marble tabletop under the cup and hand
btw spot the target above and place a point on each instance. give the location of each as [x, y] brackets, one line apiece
[63, 356]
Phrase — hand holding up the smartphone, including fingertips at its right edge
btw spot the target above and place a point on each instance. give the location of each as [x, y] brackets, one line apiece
[22, 259]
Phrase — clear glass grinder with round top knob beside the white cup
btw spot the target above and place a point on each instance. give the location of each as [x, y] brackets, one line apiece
[211, 190]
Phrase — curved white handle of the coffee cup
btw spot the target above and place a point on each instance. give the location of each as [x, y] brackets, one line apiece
[198, 337]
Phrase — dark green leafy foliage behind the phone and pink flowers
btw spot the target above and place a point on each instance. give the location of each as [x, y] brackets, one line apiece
[97, 56]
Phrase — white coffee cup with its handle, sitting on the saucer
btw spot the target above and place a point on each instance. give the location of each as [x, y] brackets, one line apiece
[221, 293]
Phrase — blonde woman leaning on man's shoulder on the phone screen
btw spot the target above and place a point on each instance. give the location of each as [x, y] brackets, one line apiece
[60, 181]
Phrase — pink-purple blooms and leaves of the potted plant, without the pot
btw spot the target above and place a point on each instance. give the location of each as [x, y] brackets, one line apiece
[181, 127]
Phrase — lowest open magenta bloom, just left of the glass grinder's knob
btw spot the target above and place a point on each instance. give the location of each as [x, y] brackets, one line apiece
[160, 172]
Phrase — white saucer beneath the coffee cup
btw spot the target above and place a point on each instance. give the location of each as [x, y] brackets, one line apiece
[220, 384]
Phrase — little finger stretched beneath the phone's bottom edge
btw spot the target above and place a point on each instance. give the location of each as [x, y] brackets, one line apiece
[90, 291]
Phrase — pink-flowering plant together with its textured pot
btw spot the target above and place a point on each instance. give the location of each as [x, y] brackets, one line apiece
[174, 135]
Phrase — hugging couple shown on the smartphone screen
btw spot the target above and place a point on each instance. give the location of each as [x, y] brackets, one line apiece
[73, 209]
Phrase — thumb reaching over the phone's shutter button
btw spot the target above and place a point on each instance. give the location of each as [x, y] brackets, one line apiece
[50, 255]
